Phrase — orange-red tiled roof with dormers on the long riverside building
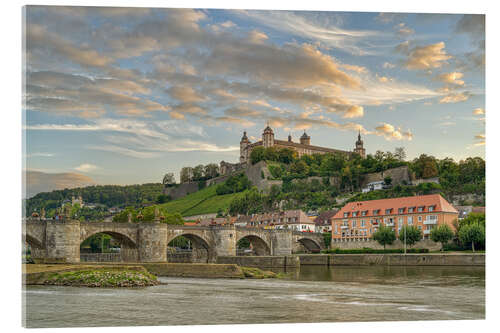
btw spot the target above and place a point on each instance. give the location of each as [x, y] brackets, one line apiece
[441, 205]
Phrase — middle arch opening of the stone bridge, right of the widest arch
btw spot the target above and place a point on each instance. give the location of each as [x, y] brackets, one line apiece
[201, 251]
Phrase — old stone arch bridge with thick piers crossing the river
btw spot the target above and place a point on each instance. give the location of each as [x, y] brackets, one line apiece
[59, 240]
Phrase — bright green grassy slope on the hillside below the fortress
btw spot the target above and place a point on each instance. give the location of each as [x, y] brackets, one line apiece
[201, 202]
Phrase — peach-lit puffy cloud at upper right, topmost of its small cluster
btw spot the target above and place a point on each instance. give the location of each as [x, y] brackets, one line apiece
[426, 57]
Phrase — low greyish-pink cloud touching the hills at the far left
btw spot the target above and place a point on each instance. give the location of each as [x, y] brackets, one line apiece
[37, 181]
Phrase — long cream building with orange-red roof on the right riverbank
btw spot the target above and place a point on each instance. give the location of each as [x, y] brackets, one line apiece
[359, 220]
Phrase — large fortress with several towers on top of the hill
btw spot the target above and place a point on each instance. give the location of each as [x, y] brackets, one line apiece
[303, 147]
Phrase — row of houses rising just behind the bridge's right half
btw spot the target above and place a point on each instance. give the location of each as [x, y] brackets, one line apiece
[290, 219]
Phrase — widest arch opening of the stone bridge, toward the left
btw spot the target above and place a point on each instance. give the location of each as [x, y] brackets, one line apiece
[128, 247]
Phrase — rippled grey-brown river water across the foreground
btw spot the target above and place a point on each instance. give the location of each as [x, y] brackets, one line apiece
[312, 294]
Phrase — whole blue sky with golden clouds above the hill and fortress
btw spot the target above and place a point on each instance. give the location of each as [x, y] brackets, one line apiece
[124, 95]
